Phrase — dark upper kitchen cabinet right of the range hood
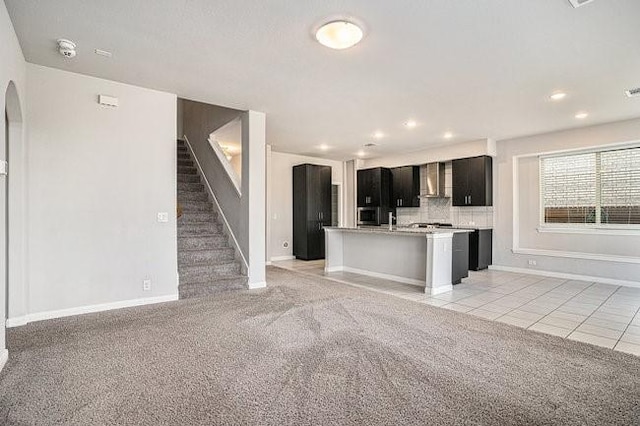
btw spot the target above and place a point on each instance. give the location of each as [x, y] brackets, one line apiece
[472, 181]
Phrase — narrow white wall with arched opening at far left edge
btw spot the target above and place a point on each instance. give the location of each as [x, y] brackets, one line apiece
[12, 69]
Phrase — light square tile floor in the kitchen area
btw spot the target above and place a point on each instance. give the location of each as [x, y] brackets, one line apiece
[596, 313]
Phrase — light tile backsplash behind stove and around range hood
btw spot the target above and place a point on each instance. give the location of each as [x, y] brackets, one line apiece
[441, 210]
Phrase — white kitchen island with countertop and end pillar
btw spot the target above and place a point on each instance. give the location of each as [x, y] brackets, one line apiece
[415, 256]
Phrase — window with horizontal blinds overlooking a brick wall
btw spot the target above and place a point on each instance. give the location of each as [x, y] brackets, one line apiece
[591, 188]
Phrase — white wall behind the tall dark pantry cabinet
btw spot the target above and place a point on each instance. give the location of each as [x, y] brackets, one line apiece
[280, 204]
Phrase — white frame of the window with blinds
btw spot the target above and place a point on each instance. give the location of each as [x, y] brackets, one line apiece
[583, 228]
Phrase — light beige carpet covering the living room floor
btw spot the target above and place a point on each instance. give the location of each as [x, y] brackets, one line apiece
[307, 351]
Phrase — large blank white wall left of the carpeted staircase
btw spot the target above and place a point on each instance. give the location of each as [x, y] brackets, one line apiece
[97, 178]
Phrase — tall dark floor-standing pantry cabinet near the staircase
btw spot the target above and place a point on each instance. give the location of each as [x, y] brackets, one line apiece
[311, 210]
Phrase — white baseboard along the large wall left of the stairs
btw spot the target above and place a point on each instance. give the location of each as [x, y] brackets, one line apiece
[89, 309]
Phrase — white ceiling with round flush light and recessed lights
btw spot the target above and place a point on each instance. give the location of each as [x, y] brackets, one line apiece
[481, 69]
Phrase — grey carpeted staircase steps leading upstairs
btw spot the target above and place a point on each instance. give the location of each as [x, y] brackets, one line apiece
[206, 262]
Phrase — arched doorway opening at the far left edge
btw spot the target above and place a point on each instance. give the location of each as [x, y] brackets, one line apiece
[12, 136]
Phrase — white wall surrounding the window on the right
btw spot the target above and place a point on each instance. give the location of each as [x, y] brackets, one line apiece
[609, 257]
